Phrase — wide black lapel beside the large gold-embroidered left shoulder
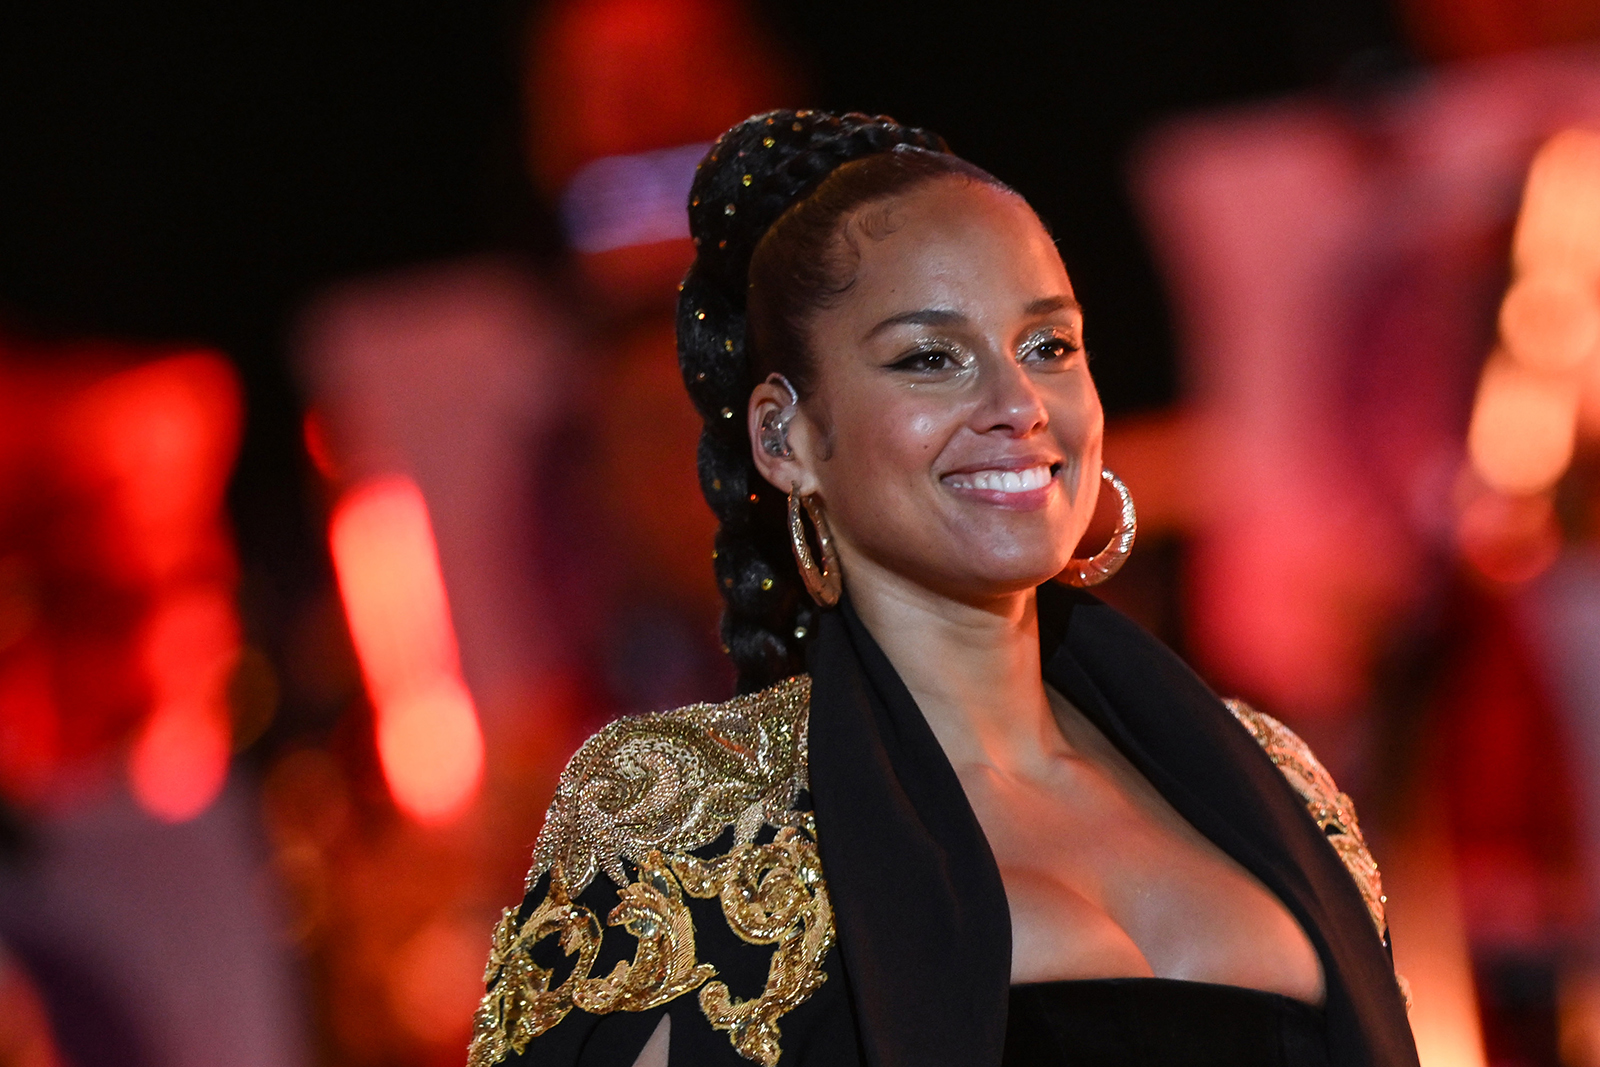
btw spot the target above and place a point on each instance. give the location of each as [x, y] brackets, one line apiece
[922, 917]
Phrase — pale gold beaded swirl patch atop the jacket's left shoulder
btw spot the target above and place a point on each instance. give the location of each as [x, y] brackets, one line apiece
[674, 781]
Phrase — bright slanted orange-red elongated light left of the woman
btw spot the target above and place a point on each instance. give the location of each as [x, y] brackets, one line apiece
[430, 741]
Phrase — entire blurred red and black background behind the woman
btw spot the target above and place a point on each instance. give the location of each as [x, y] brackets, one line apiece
[346, 481]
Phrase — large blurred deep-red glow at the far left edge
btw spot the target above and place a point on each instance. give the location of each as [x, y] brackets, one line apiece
[118, 626]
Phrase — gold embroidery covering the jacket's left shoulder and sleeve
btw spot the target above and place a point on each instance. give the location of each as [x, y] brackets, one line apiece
[636, 804]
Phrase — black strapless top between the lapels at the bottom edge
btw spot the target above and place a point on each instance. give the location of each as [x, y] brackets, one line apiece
[1161, 1023]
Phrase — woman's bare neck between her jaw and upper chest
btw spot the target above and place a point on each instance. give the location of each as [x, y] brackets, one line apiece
[972, 668]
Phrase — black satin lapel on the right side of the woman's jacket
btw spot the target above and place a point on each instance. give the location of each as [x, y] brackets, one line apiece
[1183, 740]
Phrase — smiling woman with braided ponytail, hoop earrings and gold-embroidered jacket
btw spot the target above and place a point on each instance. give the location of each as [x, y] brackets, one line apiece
[961, 815]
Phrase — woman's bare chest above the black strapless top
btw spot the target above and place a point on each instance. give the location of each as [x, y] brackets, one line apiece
[1105, 879]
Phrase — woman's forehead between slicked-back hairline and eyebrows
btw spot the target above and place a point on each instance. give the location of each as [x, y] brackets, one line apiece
[956, 244]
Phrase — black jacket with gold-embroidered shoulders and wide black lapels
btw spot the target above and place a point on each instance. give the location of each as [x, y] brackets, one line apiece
[898, 956]
